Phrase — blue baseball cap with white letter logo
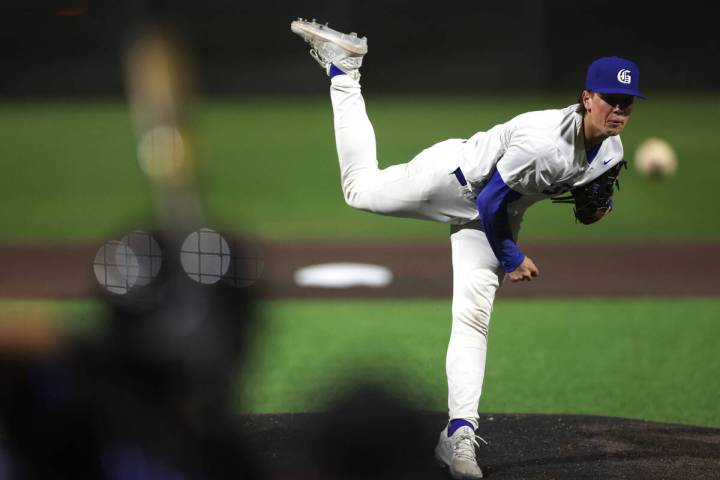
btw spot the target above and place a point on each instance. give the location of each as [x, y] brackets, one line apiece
[614, 75]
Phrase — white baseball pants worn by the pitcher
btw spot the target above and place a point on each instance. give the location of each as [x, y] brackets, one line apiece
[426, 188]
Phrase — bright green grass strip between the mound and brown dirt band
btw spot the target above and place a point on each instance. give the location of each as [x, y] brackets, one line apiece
[652, 359]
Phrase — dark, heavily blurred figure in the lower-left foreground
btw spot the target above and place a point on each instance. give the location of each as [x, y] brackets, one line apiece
[148, 398]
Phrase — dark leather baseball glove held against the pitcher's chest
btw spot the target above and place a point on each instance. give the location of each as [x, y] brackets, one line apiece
[594, 200]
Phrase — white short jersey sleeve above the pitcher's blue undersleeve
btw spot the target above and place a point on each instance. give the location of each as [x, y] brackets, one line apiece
[529, 165]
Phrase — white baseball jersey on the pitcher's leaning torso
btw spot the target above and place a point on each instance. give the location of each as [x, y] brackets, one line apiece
[538, 153]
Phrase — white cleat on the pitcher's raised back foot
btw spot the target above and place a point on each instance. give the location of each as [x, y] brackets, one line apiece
[330, 47]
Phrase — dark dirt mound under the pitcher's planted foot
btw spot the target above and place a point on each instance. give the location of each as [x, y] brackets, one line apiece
[519, 447]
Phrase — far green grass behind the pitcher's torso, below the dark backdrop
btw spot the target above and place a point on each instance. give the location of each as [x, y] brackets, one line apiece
[69, 168]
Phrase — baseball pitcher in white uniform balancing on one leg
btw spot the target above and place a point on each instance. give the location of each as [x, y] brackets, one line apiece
[481, 186]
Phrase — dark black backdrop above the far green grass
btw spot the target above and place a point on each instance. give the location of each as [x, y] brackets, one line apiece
[71, 48]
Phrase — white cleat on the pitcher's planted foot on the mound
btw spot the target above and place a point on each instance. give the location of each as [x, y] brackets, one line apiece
[458, 453]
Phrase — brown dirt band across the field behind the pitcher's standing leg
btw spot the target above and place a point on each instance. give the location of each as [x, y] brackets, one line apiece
[420, 270]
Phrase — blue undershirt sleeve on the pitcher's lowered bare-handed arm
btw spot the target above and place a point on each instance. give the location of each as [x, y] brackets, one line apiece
[492, 205]
